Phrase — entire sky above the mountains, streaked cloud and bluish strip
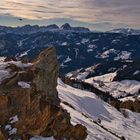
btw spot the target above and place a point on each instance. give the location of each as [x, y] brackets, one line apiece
[95, 14]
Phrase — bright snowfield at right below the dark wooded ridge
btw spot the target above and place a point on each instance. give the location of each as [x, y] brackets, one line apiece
[115, 88]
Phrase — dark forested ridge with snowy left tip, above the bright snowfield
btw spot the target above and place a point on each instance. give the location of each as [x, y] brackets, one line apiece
[124, 70]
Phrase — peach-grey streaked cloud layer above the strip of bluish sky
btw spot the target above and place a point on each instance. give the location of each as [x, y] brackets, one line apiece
[115, 11]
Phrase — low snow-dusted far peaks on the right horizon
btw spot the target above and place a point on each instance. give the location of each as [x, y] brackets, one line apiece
[127, 31]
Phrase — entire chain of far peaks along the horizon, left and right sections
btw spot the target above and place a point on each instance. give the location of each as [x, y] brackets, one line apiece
[30, 29]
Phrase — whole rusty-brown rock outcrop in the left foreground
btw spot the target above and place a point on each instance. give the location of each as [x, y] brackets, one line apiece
[29, 103]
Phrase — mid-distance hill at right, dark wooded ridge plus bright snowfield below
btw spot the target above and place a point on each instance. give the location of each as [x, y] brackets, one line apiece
[122, 83]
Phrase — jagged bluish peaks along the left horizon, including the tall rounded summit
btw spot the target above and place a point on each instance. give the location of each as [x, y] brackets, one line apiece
[29, 29]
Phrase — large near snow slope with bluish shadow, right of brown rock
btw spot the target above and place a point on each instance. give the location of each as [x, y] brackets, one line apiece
[85, 108]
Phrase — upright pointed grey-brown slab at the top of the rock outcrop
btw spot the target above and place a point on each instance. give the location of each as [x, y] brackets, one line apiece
[46, 74]
